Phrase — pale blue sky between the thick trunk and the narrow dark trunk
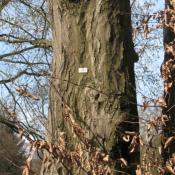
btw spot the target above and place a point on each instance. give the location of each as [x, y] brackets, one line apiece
[149, 81]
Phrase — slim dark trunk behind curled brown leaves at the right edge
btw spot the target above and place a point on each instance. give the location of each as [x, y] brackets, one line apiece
[169, 129]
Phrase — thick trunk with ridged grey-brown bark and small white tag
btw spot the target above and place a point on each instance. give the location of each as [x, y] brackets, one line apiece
[95, 35]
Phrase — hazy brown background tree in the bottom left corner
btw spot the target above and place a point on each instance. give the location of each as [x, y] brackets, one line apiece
[12, 155]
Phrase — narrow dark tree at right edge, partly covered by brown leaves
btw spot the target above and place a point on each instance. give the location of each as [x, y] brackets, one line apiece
[168, 76]
